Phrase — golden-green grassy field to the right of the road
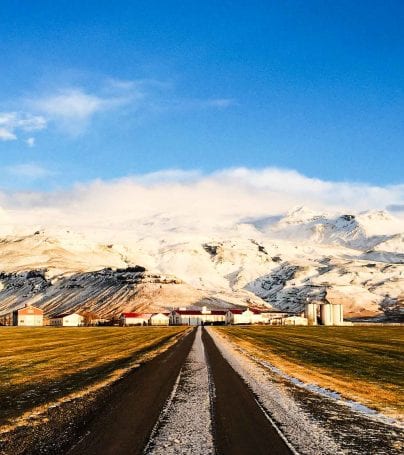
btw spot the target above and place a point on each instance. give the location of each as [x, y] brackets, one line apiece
[362, 363]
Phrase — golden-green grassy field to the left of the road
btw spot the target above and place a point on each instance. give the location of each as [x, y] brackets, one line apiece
[42, 365]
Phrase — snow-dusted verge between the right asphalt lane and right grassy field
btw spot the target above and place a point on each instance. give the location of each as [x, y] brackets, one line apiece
[306, 413]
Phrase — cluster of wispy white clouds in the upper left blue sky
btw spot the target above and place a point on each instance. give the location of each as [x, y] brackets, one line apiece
[72, 108]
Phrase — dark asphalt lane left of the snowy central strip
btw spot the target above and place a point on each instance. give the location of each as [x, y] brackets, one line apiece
[123, 425]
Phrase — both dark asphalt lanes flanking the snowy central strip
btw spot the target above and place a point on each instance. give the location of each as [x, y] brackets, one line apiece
[125, 422]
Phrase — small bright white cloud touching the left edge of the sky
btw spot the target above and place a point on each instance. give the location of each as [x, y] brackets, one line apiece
[13, 122]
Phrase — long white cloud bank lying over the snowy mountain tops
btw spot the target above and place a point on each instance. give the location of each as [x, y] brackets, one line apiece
[191, 201]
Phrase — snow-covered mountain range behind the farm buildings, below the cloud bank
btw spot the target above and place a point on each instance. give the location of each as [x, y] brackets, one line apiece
[356, 259]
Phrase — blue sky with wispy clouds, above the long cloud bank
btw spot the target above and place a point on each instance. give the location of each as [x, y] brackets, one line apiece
[102, 89]
